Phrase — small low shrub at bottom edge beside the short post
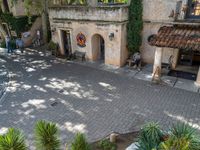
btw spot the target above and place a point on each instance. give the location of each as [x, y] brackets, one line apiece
[107, 145]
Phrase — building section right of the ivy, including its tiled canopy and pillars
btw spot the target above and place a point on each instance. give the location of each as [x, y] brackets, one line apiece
[172, 35]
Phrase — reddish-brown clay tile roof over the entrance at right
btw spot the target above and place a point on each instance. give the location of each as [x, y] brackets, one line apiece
[177, 36]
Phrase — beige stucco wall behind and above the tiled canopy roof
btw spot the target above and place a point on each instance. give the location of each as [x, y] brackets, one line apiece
[156, 14]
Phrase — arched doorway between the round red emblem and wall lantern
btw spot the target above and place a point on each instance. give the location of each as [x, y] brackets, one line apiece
[98, 48]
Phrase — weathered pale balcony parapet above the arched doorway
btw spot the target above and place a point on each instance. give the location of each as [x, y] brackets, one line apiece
[103, 13]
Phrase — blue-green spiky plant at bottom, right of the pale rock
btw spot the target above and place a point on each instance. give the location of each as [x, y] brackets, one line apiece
[150, 137]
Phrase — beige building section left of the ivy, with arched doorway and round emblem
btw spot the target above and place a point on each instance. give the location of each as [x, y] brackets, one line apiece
[97, 29]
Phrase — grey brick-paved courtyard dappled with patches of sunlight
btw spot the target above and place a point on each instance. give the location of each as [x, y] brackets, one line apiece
[85, 99]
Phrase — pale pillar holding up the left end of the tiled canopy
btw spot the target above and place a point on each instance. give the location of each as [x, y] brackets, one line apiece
[157, 63]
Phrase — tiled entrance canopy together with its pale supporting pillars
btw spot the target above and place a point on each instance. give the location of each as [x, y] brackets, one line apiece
[183, 37]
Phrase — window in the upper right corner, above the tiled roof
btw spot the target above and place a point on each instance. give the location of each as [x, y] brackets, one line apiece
[194, 9]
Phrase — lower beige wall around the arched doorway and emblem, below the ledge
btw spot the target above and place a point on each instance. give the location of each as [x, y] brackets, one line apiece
[115, 50]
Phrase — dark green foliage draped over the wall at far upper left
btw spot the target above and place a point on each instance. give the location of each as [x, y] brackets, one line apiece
[19, 24]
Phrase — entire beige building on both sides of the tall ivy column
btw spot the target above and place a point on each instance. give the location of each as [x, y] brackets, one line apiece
[170, 35]
